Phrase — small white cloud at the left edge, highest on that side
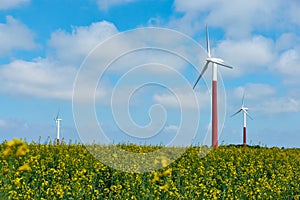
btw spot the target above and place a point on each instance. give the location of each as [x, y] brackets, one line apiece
[15, 36]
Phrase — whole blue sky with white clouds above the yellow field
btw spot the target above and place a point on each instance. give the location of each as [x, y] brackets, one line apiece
[145, 95]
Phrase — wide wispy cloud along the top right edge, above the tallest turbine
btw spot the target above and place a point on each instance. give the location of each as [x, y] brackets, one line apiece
[238, 18]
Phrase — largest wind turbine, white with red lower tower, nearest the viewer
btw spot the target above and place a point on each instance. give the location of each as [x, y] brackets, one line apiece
[215, 62]
